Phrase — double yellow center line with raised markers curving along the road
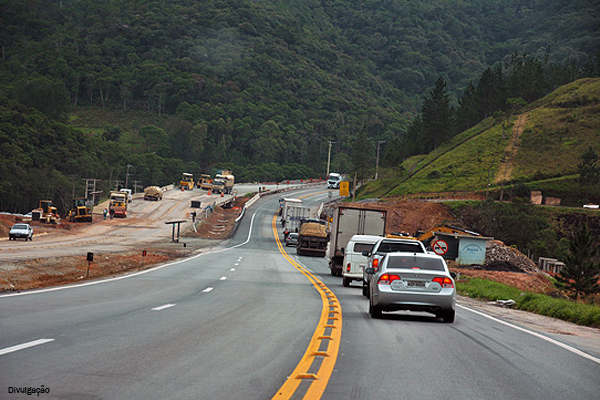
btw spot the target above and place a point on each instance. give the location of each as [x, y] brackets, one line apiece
[316, 366]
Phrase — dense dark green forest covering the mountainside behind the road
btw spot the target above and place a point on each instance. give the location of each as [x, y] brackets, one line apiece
[261, 87]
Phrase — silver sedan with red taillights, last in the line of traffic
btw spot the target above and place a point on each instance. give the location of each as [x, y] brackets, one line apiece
[413, 282]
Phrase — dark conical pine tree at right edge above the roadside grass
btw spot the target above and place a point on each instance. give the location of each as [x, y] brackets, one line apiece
[581, 272]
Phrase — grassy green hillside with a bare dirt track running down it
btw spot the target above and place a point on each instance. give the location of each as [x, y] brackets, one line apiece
[541, 148]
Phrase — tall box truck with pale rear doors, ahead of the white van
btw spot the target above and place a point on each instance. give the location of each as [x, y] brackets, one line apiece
[347, 222]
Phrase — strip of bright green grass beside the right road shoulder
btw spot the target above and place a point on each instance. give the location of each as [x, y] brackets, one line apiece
[566, 310]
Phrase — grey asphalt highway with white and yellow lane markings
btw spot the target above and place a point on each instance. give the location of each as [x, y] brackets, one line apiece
[251, 320]
